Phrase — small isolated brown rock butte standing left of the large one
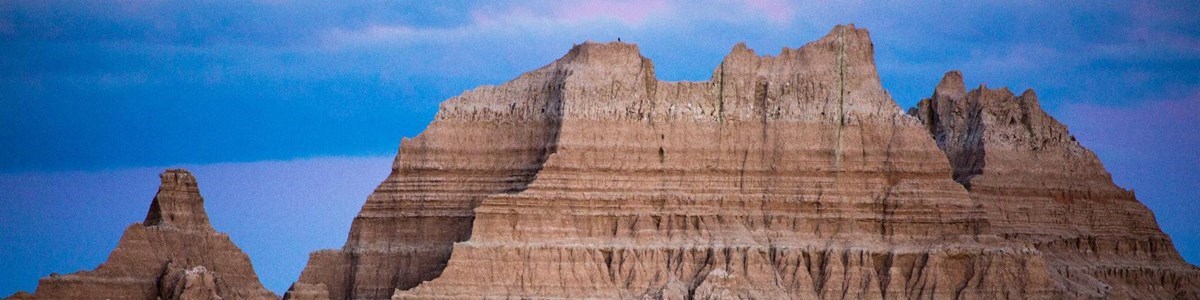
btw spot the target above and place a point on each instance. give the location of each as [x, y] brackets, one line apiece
[173, 255]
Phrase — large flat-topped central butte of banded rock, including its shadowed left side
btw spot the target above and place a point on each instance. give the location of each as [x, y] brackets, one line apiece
[782, 177]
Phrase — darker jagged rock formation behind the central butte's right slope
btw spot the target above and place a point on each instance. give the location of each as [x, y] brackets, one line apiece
[1040, 185]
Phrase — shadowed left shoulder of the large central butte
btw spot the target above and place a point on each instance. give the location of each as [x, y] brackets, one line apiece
[487, 142]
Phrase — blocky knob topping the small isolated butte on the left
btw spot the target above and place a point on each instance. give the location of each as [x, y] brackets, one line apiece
[178, 203]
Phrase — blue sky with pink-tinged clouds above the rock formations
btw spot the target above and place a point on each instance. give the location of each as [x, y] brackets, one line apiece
[290, 113]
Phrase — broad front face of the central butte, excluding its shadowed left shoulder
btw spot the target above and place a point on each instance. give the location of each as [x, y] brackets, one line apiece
[782, 177]
